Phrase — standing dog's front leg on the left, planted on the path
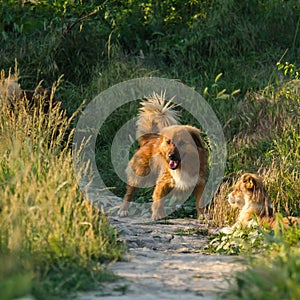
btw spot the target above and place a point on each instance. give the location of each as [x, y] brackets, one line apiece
[161, 190]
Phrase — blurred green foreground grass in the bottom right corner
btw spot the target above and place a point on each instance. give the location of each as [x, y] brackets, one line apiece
[274, 274]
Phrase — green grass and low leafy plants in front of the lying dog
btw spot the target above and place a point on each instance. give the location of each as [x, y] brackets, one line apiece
[273, 261]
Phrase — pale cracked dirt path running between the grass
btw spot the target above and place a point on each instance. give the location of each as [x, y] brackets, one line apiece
[164, 262]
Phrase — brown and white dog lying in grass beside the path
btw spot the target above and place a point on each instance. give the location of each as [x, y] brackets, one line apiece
[250, 197]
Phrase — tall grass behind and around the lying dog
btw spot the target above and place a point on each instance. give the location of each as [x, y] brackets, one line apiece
[267, 143]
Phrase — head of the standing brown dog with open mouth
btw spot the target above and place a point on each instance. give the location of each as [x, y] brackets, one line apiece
[179, 148]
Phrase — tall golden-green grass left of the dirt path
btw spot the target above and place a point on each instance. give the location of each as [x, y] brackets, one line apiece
[52, 240]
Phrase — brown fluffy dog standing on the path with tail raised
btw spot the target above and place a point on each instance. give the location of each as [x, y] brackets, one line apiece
[171, 157]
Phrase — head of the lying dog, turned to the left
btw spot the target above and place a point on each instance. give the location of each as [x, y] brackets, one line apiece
[245, 190]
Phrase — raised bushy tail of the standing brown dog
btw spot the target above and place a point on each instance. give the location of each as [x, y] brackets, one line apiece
[155, 114]
